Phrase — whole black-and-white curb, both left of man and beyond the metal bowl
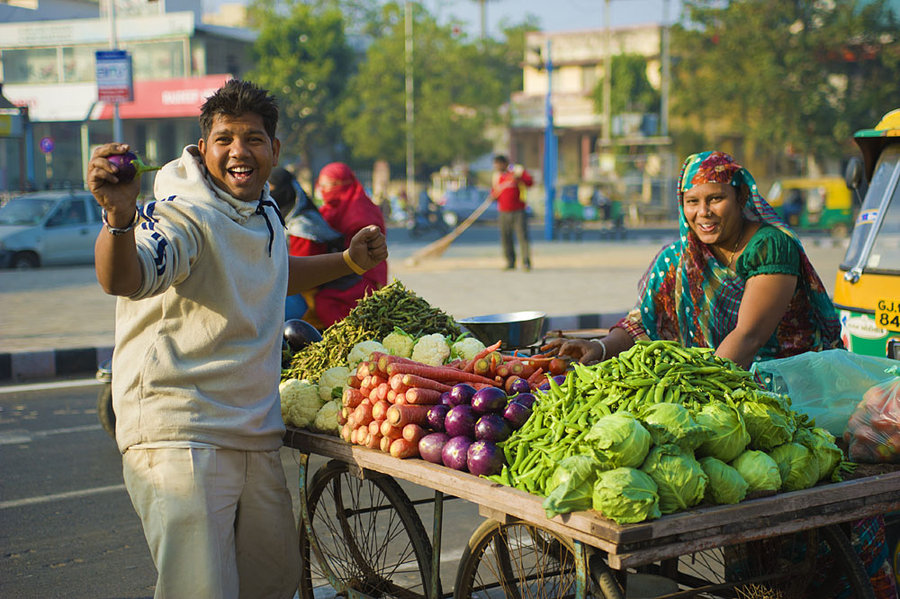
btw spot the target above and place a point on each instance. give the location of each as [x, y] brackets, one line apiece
[48, 364]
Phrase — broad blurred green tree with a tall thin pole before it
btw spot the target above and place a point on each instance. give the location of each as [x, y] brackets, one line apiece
[457, 92]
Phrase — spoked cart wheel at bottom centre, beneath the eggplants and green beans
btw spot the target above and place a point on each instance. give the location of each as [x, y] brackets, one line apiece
[516, 560]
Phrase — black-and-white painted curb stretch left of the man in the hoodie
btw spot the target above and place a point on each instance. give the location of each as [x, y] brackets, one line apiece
[48, 364]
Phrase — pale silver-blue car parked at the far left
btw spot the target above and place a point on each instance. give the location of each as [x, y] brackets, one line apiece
[48, 228]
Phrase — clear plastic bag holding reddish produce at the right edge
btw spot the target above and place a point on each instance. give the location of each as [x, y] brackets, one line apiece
[873, 432]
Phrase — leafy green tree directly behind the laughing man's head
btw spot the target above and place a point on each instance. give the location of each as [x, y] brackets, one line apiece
[303, 57]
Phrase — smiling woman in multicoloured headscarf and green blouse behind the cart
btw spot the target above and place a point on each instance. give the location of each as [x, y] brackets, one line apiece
[737, 280]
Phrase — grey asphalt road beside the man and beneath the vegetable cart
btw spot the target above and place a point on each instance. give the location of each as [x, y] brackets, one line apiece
[67, 527]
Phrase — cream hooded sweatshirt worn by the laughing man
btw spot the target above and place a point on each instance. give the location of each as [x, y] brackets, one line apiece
[198, 347]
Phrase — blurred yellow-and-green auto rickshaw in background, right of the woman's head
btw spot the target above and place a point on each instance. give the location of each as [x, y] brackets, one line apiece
[814, 204]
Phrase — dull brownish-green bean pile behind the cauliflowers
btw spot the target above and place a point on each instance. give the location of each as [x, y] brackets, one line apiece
[374, 317]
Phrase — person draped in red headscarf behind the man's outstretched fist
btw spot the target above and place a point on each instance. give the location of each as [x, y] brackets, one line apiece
[347, 209]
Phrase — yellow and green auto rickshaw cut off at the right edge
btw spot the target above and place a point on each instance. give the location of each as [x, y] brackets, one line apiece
[867, 290]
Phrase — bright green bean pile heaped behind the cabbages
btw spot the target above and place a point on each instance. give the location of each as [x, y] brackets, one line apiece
[649, 372]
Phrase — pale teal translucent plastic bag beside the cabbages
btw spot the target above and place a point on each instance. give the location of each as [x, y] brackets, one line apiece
[825, 385]
